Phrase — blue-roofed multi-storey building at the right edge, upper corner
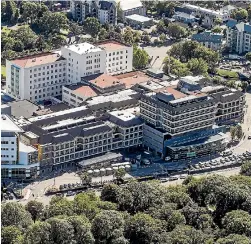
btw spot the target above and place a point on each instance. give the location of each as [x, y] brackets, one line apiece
[238, 37]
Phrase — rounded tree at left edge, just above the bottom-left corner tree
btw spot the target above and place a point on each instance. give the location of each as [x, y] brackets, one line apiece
[15, 214]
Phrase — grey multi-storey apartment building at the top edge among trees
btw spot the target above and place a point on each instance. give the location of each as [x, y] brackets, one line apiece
[104, 11]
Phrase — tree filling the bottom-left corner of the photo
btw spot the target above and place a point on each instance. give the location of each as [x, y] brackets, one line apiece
[10, 235]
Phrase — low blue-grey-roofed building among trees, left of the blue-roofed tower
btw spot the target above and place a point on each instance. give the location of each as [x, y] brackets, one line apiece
[208, 39]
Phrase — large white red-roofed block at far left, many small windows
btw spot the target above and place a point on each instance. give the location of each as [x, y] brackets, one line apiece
[36, 77]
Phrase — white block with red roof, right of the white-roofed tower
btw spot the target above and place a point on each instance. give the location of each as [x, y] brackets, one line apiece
[119, 57]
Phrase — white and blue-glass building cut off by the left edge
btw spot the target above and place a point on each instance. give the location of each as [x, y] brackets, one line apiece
[17, 159]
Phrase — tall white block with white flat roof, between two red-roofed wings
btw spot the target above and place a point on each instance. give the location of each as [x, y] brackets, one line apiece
[82, 60]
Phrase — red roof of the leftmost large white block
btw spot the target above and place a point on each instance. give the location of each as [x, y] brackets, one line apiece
[37, 60]
